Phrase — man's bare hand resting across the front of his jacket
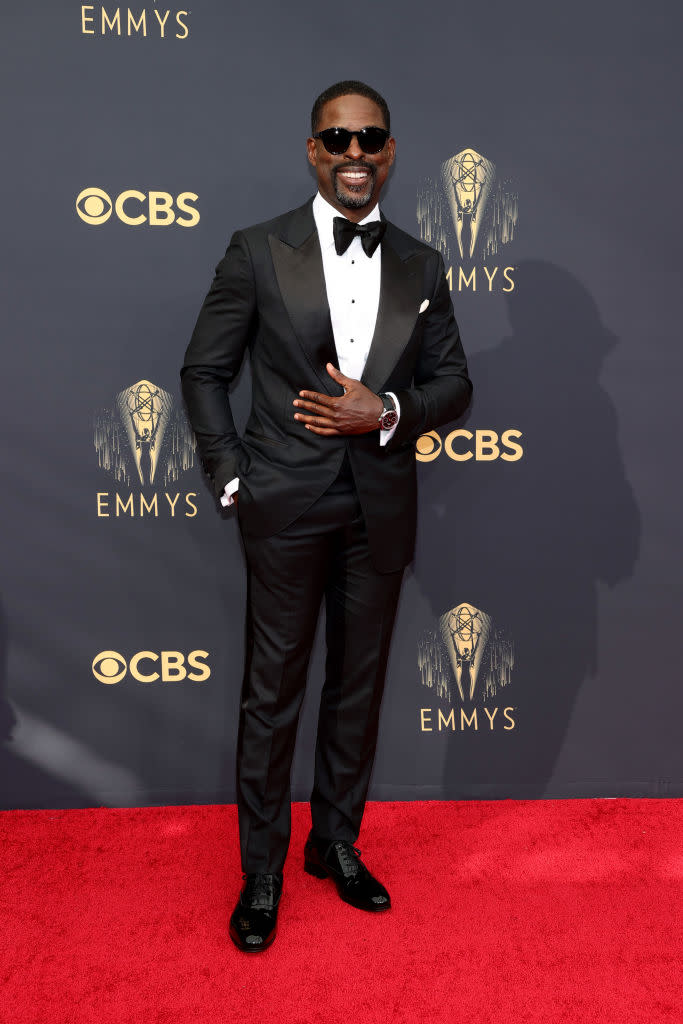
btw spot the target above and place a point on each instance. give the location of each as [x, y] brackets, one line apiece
[357, 412]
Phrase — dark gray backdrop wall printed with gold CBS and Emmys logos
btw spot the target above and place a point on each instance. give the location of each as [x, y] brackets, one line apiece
[538, 641]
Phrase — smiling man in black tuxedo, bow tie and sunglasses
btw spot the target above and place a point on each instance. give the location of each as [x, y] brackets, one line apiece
[355, 353]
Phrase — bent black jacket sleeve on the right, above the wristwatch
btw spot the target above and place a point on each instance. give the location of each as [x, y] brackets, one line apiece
[442, 388]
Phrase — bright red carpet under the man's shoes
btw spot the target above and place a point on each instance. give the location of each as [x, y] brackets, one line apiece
[504, 912]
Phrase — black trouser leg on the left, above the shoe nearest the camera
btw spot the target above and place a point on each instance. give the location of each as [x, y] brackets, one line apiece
[286, 577]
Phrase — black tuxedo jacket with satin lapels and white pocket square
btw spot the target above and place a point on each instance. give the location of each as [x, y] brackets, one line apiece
[269, 296]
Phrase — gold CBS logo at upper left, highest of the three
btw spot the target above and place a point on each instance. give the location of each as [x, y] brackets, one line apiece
[134, 208]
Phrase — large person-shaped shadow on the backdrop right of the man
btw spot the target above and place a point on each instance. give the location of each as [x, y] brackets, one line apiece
[529, 542]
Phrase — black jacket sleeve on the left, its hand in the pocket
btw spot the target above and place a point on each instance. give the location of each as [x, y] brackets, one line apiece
[215, 356]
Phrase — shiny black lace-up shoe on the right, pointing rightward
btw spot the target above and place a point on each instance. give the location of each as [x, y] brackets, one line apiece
[341, 861]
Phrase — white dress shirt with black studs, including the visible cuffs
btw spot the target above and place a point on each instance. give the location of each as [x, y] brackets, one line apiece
[353, 285]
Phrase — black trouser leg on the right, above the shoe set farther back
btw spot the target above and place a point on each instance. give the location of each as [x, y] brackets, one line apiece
[361, 606]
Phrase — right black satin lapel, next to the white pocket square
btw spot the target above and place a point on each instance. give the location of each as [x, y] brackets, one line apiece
[401, 294]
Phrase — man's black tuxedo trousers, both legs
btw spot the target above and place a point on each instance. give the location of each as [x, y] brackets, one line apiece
[323, 556]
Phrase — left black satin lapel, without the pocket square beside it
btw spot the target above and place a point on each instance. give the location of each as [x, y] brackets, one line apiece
[302, 282]
